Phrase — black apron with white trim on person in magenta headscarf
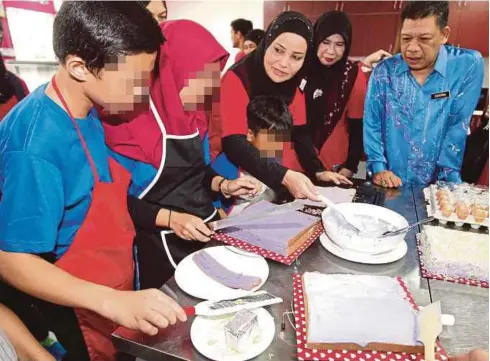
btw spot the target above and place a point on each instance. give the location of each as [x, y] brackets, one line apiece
[178, 186]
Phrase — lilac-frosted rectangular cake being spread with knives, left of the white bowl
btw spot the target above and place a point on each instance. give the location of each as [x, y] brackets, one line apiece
[283, 233]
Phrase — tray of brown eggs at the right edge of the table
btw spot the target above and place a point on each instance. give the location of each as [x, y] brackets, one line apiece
[458, 203]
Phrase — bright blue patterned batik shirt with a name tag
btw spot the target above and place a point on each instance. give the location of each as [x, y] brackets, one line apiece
[419, 132]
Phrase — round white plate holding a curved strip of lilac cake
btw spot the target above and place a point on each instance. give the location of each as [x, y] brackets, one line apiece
[196, 283]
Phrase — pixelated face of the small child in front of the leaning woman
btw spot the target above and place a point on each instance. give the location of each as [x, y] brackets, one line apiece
[270, 143]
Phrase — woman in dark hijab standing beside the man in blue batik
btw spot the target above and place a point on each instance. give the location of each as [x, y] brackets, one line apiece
[335, 92]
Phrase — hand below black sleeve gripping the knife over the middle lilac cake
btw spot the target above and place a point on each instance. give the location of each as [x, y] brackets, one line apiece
[189, 227]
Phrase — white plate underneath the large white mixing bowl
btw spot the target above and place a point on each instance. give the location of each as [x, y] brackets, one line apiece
[388, 257]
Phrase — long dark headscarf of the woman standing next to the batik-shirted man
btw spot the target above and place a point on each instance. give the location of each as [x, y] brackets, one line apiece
[328, 88]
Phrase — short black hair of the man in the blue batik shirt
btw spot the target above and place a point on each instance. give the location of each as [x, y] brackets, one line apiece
[415, 10]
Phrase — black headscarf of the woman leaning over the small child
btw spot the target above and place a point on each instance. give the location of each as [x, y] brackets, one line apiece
[251, 69]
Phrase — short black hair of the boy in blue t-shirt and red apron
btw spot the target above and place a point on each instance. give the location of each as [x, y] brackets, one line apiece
[98, 31]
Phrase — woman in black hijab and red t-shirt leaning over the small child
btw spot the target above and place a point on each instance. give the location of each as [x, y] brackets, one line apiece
[277, 67]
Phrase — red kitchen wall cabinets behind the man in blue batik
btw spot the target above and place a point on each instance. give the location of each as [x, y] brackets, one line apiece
[375, 24]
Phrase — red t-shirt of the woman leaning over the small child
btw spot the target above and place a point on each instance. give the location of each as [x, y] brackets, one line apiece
[234, 100]
